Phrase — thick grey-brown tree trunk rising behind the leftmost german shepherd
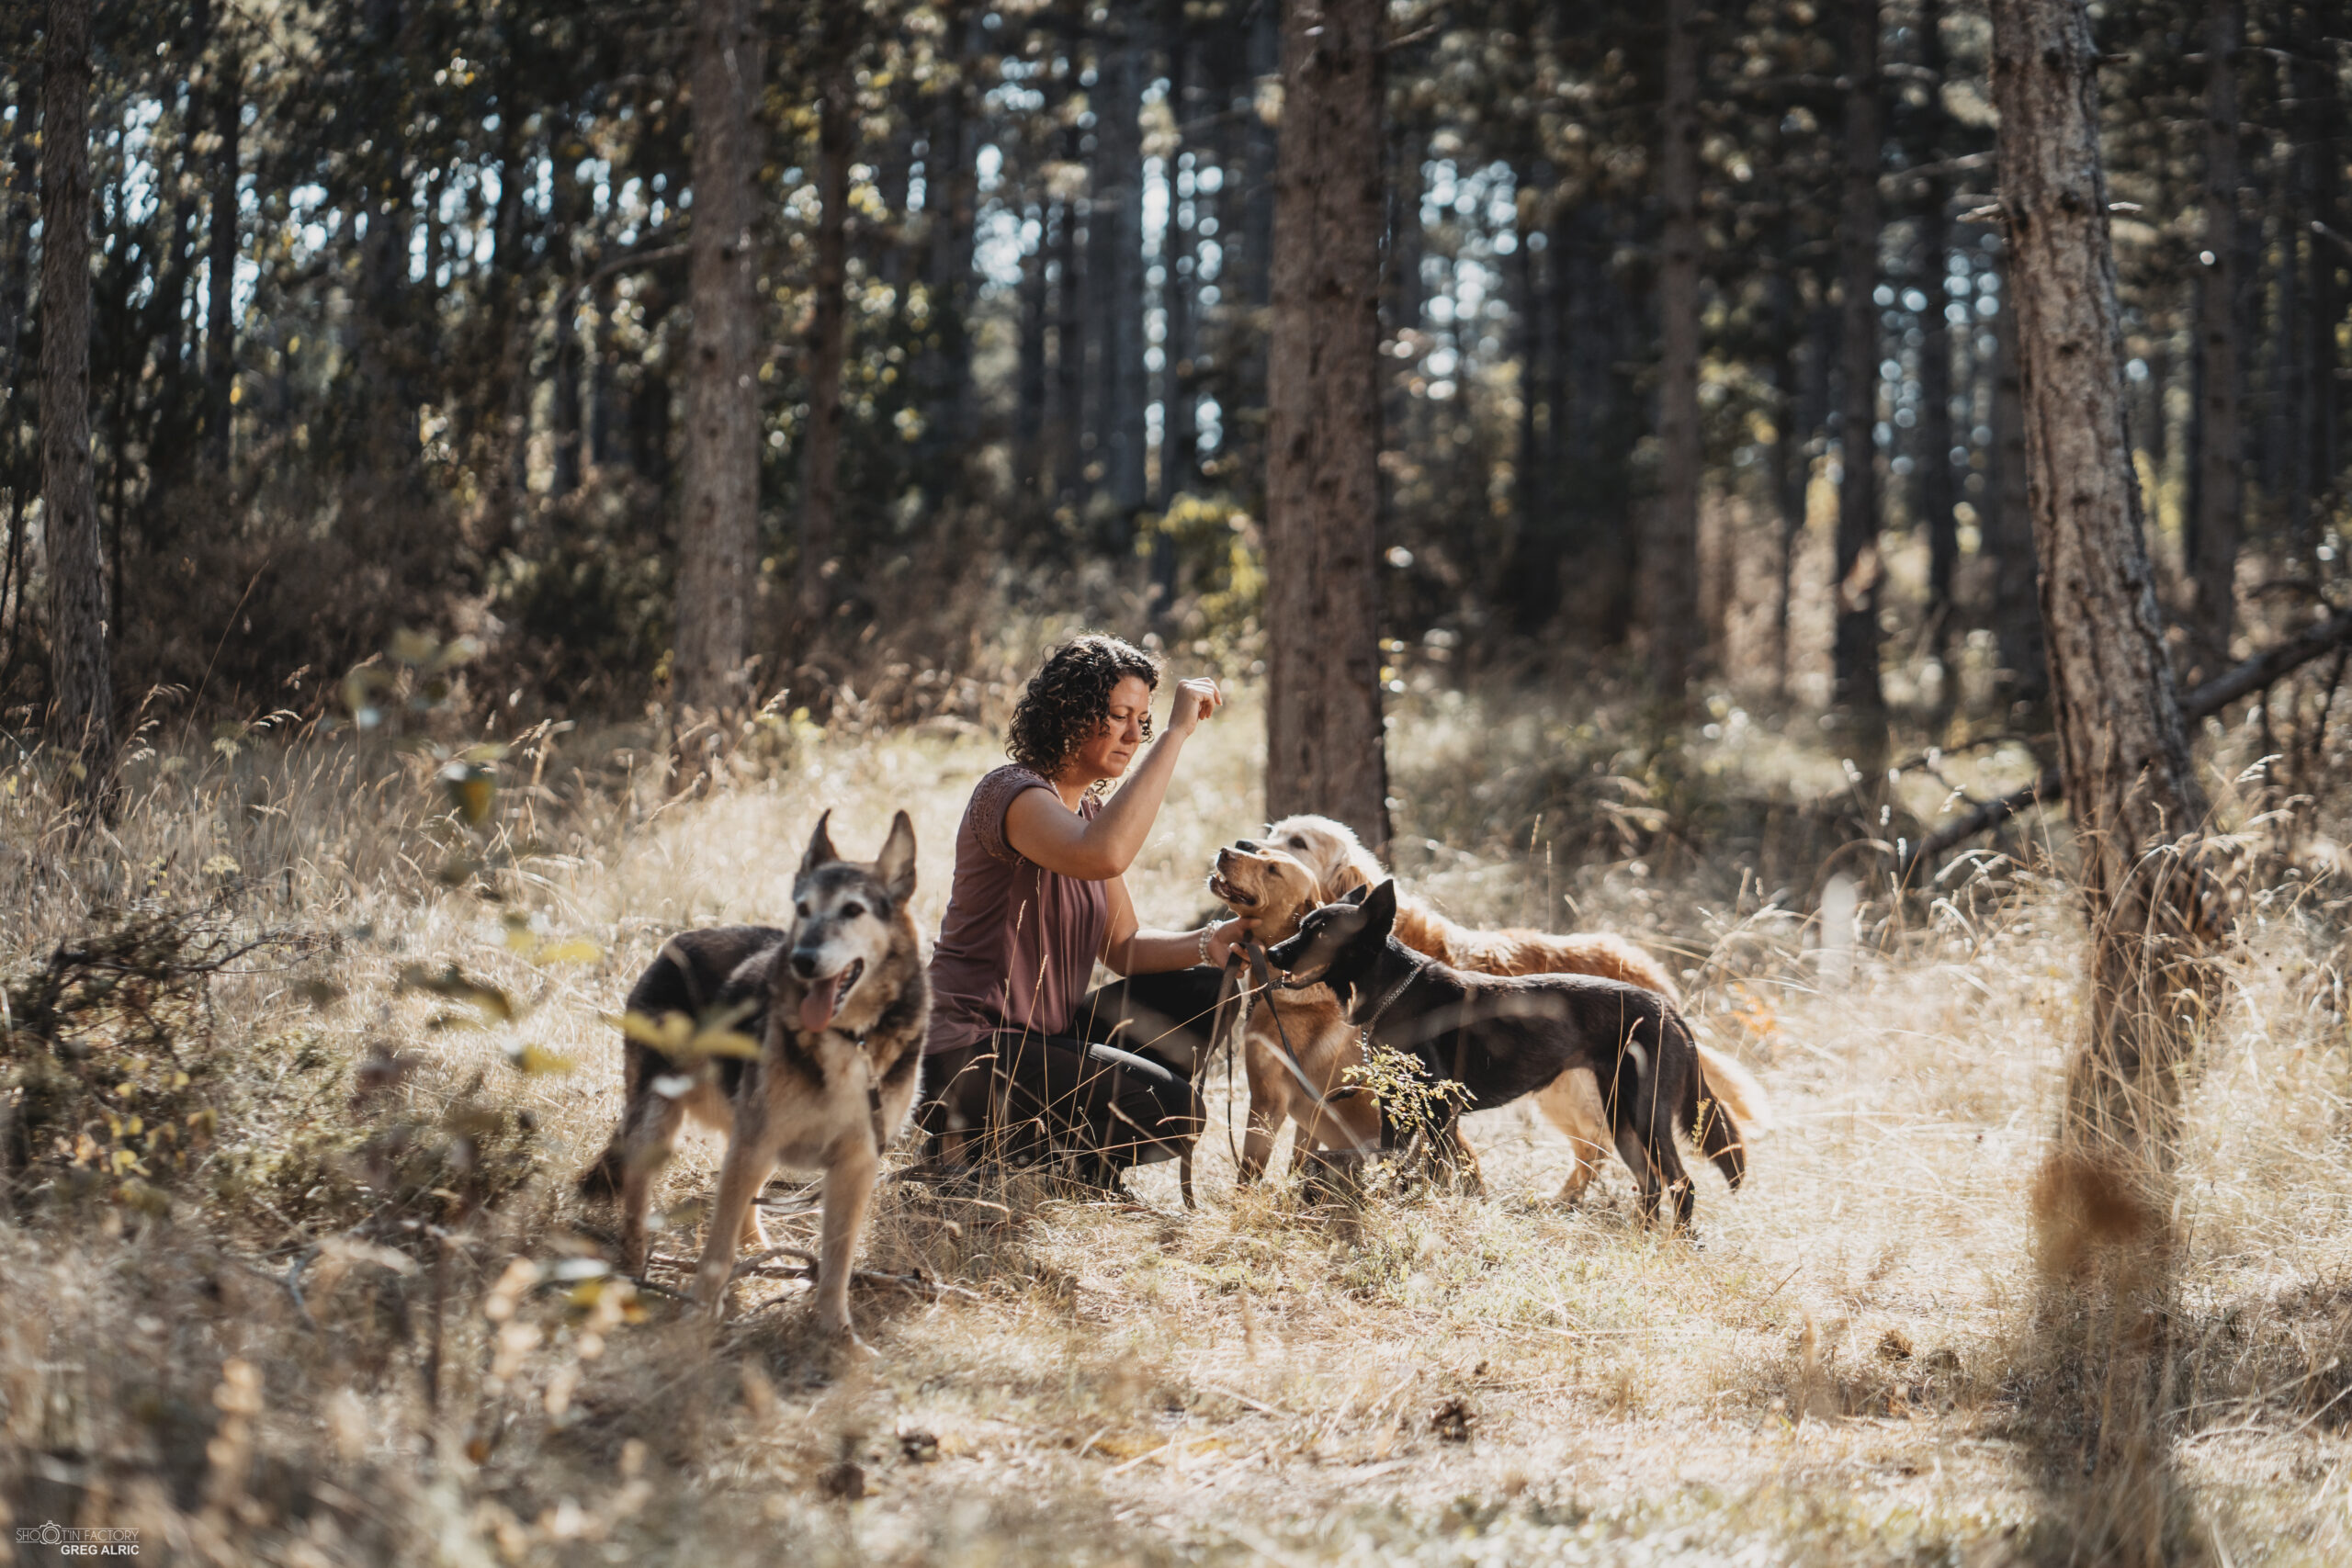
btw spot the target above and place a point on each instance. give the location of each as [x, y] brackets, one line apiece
[721, 507]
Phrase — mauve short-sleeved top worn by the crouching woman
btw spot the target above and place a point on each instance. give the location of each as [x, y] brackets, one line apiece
[1020, 942]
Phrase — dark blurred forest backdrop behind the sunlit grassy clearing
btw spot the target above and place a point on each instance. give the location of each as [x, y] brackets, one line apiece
[1692, 359]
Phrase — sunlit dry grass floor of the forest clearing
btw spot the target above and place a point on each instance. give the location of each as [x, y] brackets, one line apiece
[359, 1325]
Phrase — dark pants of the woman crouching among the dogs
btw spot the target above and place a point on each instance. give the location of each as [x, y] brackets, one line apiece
[1027, 1099]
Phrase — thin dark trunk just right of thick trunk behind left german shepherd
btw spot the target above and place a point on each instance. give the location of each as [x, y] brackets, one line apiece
[829, 344]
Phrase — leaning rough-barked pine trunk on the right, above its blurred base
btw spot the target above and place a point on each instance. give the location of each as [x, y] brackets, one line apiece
[2123, 749]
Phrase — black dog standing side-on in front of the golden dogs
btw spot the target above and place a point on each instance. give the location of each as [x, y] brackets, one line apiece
[1511, 1036]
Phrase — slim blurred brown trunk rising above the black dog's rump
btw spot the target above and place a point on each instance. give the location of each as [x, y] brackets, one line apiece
[1671, 556]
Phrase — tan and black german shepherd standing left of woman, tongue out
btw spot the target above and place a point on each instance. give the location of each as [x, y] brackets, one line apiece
[836, 1005]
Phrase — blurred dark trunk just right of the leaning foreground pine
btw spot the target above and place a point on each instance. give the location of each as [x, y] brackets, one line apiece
[2217, 483]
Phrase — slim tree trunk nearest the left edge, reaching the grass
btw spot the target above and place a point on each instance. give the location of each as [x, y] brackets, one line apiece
[81, 657]
